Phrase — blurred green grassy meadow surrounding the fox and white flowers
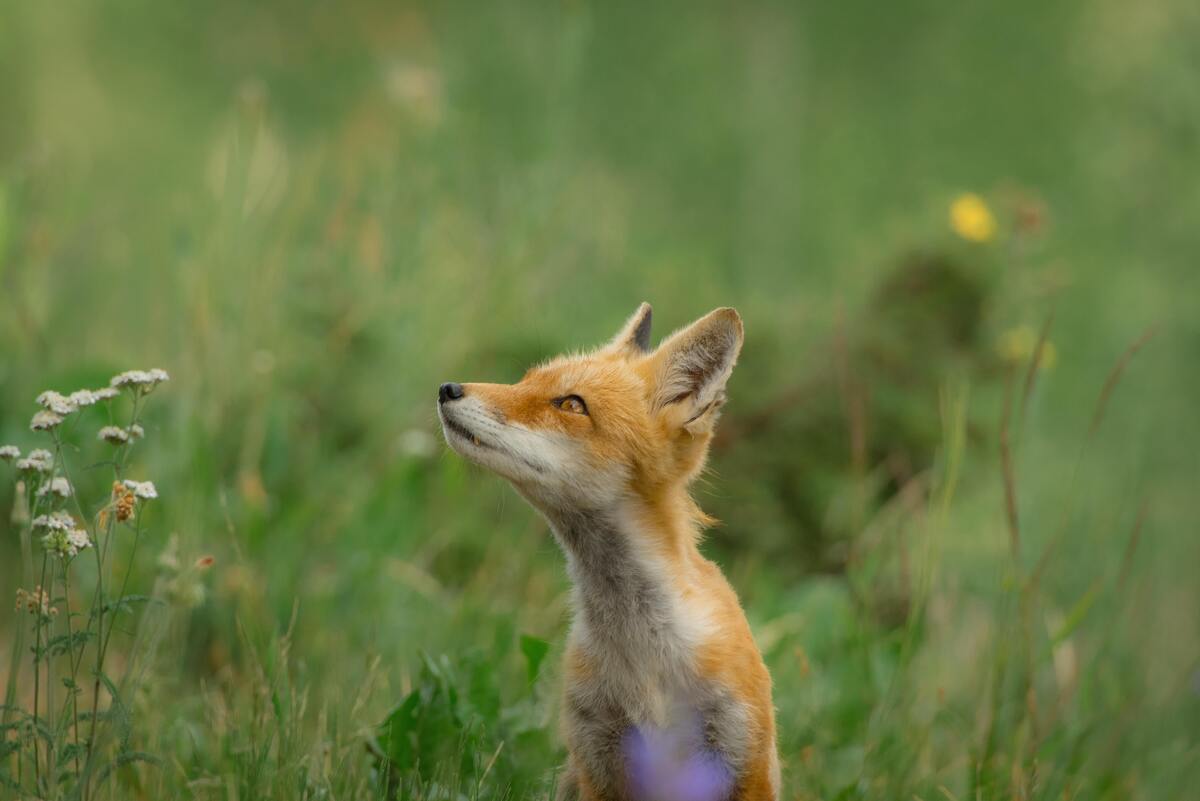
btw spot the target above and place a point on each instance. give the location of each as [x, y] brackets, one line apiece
[958, 473]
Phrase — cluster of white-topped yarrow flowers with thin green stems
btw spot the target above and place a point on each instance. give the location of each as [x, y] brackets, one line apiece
[50, 513]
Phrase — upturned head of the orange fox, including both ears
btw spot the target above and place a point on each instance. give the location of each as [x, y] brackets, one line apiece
[592, 431]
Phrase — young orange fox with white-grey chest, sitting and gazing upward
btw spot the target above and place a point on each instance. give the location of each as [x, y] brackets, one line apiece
[667, 697]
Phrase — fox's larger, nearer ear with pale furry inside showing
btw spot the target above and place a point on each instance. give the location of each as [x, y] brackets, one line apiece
[695, 363]
